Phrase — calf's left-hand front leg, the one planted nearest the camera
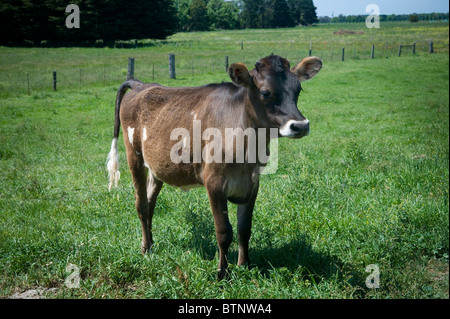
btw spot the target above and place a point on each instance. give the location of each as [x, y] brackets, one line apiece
[224, 231]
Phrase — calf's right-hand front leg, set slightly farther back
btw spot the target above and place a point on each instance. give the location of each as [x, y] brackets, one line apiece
[244, 223]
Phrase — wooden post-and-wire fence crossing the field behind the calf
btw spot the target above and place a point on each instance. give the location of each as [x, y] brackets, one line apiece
[190, 61]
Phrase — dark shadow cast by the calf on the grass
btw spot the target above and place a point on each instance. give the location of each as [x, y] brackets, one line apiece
[294, 255]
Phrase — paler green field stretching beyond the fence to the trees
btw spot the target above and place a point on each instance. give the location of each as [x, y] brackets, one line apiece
[200, 53]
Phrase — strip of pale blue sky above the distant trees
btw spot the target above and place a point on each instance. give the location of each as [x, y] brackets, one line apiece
[347, 7]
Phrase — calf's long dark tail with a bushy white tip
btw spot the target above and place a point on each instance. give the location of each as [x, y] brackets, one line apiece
[112, 162]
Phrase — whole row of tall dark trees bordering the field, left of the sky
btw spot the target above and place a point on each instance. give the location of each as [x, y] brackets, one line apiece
[38, 22]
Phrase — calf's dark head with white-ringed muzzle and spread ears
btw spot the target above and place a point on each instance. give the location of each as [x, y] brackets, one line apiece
[273, 87]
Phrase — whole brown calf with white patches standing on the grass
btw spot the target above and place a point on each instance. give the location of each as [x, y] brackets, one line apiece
[263, 98]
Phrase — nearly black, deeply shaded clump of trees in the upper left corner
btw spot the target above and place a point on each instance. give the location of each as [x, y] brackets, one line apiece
[109, 20]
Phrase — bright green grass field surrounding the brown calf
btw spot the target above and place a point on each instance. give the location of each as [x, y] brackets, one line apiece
[369, 185]
